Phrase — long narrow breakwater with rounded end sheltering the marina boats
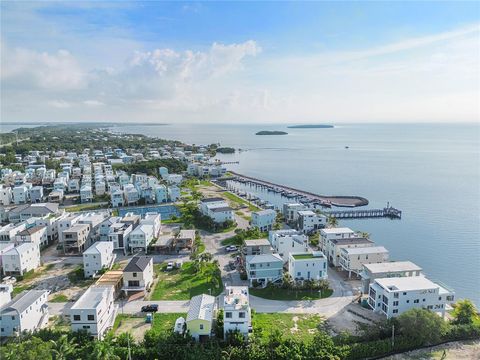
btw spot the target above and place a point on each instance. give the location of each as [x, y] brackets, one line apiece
[305, 196]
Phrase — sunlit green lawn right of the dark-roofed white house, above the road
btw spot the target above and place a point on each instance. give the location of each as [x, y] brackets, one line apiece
[182, 284]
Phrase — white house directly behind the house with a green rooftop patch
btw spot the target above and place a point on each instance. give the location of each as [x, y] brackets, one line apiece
[288, 241]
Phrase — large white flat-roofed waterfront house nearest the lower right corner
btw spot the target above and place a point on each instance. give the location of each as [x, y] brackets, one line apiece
[394, 296]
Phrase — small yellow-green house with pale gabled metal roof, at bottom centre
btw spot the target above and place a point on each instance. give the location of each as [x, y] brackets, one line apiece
[200, 316]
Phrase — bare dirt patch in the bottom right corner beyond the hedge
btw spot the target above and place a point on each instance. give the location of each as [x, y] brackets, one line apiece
[467, 350]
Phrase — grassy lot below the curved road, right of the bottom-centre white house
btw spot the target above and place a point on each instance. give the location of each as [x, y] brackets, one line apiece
[292, 325]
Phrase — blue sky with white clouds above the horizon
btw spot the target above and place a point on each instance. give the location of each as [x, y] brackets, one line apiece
[240, 62]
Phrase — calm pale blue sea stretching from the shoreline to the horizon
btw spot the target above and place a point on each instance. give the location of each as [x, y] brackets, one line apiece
[430, 172]
